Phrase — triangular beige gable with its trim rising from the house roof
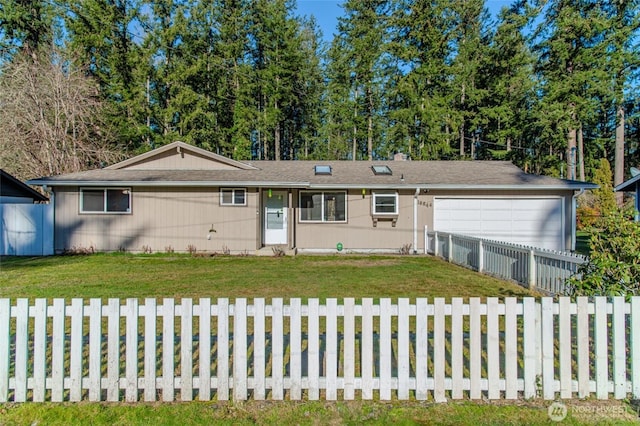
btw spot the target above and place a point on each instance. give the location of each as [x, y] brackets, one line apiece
[147, 160]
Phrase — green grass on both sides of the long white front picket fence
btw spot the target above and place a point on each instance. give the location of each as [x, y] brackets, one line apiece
[163, 275]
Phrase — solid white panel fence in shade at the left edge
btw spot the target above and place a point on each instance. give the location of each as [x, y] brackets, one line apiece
[26, 229]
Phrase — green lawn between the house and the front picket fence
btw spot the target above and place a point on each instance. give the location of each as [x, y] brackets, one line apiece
[124, 275]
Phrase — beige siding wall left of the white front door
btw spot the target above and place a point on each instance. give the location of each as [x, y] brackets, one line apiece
[160, 218]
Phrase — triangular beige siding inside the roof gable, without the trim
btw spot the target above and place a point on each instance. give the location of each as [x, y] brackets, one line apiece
[185, 160]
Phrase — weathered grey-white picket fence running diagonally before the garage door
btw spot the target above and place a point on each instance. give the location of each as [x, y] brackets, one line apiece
[542, 269]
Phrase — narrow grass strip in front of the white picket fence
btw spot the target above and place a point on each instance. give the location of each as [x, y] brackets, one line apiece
[303, 413]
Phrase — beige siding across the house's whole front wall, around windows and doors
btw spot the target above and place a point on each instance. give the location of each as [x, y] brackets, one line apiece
[182, 217]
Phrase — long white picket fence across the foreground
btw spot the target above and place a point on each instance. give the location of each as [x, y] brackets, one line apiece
[496, 349]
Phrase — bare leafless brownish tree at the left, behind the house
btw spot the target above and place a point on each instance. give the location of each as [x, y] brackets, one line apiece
[51, 118]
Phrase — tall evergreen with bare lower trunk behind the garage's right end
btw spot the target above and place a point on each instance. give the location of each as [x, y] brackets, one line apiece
[571, 64]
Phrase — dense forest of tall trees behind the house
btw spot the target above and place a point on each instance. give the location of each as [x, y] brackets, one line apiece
[549, 85]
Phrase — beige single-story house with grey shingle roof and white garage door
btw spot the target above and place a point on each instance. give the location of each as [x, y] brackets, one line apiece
[179, 197]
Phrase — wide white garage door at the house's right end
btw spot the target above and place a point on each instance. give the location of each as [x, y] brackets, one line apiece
[536, 222]
